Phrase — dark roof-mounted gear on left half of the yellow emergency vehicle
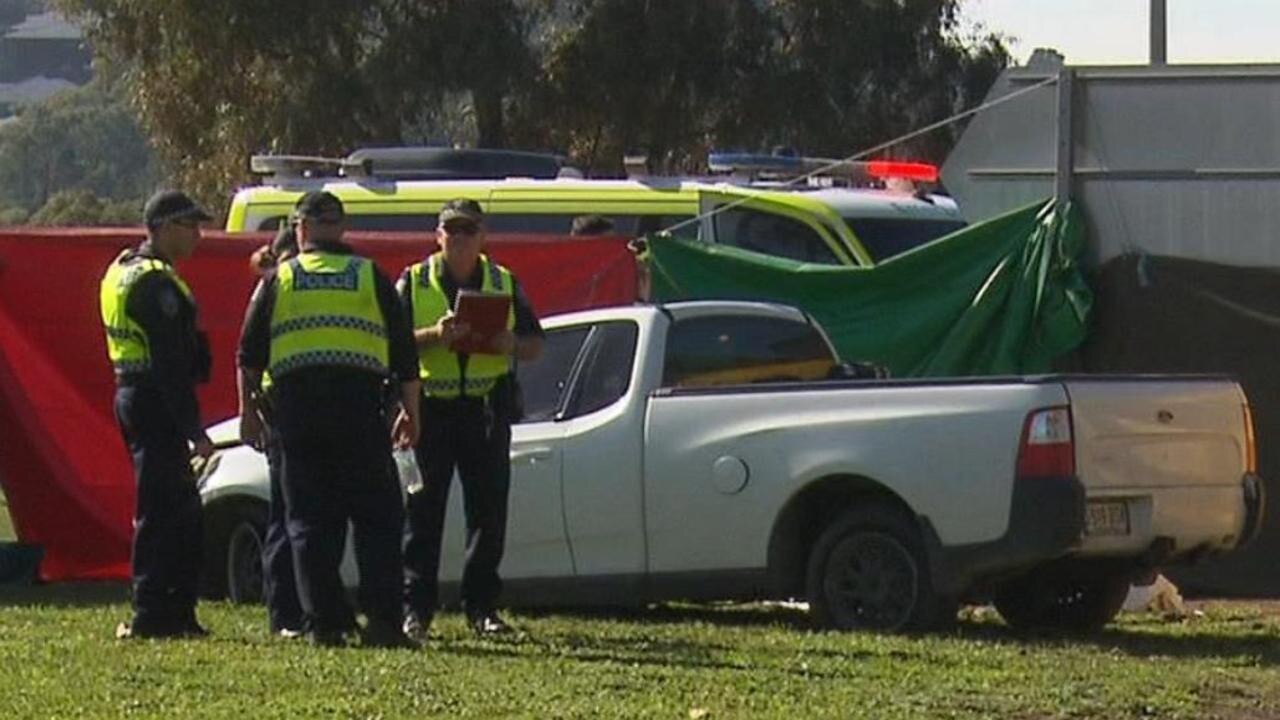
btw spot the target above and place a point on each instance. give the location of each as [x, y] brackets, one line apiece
[414, 163]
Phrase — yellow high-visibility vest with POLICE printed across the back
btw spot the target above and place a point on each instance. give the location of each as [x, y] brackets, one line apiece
[327, 315]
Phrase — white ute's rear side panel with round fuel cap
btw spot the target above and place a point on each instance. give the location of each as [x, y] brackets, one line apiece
[931, 444]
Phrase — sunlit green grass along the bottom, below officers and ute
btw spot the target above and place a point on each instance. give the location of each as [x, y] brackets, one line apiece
[58, 659]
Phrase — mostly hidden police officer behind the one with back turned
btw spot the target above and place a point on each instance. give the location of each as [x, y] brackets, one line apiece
[284, 612]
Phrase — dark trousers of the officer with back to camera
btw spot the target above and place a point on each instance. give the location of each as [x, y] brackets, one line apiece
[336, 468]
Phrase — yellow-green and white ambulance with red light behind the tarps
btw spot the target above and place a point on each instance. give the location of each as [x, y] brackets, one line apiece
[853, 215]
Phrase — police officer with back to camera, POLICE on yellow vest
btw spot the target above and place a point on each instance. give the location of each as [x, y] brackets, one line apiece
[328, 327]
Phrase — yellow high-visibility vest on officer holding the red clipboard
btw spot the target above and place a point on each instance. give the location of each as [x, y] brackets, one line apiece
[437, 366]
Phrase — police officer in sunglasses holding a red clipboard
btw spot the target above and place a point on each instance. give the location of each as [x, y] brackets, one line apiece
[468, 408]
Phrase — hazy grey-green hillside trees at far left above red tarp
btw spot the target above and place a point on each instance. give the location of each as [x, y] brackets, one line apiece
[83, 143]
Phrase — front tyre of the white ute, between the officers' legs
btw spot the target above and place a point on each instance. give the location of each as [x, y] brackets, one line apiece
[234, 553]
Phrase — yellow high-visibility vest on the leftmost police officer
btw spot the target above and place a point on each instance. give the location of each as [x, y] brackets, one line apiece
[127, 344]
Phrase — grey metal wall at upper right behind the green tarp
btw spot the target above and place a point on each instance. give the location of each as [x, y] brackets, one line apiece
[1181, 161]
